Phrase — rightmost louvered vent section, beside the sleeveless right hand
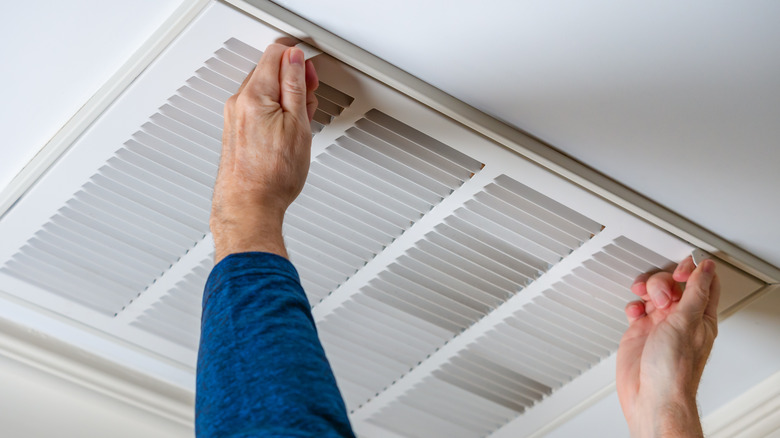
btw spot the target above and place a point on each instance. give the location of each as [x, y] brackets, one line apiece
[561, 333]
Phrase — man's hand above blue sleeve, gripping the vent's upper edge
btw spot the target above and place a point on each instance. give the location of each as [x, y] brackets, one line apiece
[266, 149]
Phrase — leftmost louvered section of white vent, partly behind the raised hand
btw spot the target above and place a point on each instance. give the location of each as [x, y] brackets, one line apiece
[149, 204]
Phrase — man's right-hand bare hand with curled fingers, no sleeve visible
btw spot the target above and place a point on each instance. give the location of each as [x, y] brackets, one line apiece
[662, 354]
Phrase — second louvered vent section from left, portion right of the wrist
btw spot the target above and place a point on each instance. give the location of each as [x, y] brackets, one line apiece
[362, 193]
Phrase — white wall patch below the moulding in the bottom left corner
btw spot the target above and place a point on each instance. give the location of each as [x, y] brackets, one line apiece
[35, 404]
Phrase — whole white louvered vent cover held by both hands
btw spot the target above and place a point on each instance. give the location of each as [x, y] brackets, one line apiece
[457, 287]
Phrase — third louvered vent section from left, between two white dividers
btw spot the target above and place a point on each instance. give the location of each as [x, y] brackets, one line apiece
[479, 257]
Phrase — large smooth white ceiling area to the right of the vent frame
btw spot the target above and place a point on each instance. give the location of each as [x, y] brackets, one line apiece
[678, 101]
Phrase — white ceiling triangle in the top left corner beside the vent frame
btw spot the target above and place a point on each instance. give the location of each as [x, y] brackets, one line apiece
[56, 55]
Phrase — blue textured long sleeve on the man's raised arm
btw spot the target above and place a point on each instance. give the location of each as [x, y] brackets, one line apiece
[262, 371]
